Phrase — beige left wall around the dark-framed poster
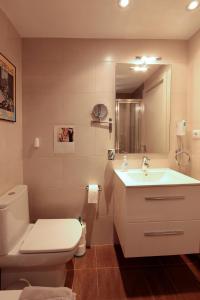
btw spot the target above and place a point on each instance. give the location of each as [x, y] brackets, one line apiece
[11, 133]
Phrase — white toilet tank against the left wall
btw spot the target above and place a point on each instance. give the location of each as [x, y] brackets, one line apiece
[14, 217]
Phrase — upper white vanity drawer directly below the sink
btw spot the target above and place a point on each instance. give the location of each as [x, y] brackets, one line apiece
[163, 203]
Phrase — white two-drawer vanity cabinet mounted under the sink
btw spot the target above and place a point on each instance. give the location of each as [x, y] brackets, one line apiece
[157, 220]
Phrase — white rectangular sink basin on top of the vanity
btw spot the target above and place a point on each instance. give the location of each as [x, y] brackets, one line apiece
[154, 177]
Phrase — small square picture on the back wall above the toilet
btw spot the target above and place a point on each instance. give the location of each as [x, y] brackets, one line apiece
[64, 139]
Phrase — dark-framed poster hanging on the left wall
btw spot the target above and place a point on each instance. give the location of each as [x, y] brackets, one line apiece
[7, 90]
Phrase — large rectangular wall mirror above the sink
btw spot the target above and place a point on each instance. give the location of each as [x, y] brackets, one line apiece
[142, 109]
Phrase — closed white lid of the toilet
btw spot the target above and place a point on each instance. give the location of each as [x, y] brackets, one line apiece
[52, 235]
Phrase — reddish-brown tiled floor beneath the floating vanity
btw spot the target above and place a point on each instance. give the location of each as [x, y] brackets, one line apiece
[104, 274]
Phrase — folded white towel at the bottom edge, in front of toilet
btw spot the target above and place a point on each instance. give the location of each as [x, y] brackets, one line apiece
[47, 293]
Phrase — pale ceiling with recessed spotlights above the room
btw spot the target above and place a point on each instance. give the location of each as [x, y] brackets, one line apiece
[159, 19]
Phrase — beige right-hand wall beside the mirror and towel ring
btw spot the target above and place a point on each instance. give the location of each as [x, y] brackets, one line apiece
[194, 102]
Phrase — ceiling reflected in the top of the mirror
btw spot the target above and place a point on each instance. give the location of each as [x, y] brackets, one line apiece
[127, 81]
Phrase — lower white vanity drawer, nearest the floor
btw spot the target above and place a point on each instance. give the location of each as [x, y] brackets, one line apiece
[161, 238]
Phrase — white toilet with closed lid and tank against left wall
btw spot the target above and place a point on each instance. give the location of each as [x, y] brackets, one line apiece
[37, 252]
